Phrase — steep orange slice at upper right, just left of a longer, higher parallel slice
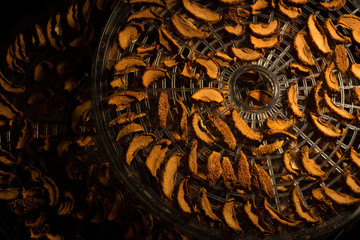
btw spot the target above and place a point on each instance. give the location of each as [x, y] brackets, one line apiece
[303, 50]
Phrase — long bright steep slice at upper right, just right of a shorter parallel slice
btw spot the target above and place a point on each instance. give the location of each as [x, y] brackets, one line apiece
[317, 35]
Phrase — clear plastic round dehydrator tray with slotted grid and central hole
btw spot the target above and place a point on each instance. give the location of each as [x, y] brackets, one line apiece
[276, 78]
